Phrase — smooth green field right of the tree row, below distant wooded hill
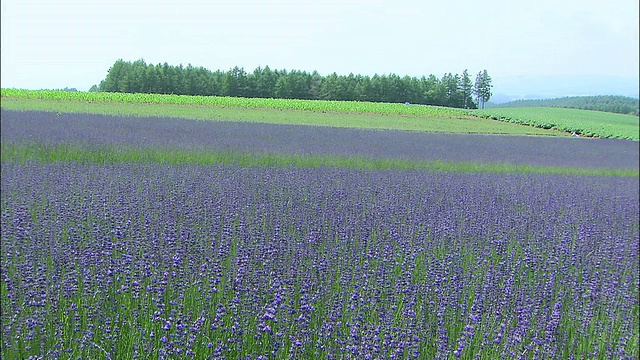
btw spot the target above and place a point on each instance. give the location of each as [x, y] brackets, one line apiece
[584, 122]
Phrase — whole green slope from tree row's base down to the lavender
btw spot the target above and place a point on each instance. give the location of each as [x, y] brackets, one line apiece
[397, 117]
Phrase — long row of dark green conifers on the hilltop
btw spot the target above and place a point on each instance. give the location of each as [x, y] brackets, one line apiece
[451, 90]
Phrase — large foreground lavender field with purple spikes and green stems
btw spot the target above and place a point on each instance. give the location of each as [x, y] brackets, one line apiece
[254, 263]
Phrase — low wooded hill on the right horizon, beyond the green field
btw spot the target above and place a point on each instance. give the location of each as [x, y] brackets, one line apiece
[607, 103]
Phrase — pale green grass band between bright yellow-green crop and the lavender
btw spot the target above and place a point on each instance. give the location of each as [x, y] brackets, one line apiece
[456, 123]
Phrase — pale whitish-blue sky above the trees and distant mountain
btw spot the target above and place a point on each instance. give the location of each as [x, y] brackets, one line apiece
[72, 43]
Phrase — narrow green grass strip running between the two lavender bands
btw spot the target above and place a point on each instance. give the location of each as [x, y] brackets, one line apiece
[24, 153]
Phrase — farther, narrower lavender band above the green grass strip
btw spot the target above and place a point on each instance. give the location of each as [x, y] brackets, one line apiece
[51, 128]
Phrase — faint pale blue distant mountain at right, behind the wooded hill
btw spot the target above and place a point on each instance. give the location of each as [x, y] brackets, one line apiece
[509, 88]
